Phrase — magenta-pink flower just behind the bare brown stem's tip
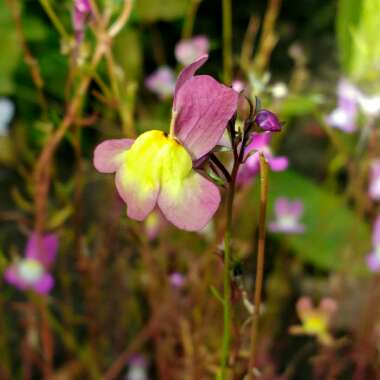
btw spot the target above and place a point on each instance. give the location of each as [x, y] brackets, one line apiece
[250, 168]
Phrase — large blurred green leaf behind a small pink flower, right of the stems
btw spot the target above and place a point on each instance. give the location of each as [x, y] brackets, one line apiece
[335, 237]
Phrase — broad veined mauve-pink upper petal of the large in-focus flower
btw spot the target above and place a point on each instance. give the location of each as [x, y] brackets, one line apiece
[203, 108]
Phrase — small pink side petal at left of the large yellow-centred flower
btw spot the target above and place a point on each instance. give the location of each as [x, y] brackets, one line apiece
[108, 155]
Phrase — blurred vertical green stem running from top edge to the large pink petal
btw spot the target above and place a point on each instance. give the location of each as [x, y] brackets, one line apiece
[227, 41]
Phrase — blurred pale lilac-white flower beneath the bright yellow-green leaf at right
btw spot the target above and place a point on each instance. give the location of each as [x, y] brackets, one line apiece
[344, 116]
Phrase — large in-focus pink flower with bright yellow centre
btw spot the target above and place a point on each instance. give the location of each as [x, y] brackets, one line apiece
[156, 169]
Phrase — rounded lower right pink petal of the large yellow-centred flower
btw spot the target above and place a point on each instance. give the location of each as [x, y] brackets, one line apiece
[194, 206]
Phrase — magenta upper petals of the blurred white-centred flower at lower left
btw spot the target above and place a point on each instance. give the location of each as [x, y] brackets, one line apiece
[43, 248]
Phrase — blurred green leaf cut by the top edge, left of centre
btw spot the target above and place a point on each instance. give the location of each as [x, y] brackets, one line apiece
[153, 10]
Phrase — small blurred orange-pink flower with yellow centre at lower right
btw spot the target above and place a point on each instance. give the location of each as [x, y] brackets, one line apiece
[315, 321]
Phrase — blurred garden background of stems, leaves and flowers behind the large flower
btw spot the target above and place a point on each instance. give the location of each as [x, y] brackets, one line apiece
[139, 301]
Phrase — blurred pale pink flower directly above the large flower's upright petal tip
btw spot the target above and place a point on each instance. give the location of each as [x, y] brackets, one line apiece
[188, 50]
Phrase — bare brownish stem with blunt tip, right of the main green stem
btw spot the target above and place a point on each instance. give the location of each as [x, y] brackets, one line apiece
[260, 264]
